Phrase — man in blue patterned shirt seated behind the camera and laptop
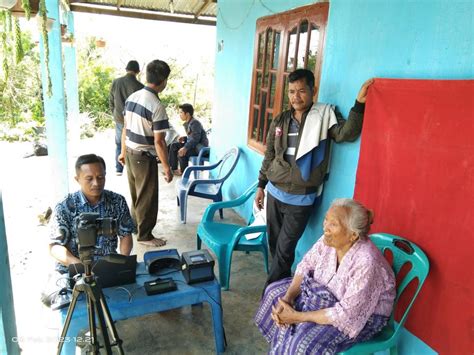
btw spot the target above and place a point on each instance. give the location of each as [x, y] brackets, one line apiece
[63, 245]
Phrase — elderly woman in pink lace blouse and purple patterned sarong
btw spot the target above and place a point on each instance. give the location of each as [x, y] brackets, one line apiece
[342, 292]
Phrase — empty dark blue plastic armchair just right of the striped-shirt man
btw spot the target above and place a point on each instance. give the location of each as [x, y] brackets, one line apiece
[211, 187]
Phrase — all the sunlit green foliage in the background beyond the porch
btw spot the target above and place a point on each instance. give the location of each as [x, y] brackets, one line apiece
[21, 102]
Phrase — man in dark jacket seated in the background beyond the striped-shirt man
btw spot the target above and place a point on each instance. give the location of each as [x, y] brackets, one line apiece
[190, 145]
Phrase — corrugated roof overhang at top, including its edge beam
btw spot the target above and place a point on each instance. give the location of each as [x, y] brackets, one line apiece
[189, 11]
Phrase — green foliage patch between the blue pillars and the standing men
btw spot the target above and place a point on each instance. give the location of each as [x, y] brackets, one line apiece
[95, 79]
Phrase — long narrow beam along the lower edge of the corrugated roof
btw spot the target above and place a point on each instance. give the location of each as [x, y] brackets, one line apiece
[78, 7]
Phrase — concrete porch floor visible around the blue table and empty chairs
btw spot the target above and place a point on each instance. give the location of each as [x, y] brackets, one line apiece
[189, 330]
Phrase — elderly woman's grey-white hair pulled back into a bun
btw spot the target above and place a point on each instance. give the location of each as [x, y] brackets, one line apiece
[357, 217]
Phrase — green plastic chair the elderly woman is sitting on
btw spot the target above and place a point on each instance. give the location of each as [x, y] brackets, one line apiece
[403, 252]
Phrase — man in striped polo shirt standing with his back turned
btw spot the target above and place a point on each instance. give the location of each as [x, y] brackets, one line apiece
[143, 142]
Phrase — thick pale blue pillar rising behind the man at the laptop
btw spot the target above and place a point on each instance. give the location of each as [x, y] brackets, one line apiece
[54, 104]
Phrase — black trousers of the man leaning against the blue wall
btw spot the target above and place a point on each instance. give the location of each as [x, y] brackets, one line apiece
[285, 226]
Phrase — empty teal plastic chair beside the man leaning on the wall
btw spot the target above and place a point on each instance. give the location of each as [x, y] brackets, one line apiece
[224, 238]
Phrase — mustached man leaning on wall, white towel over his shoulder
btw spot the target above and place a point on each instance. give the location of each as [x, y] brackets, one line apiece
[296, 162]
